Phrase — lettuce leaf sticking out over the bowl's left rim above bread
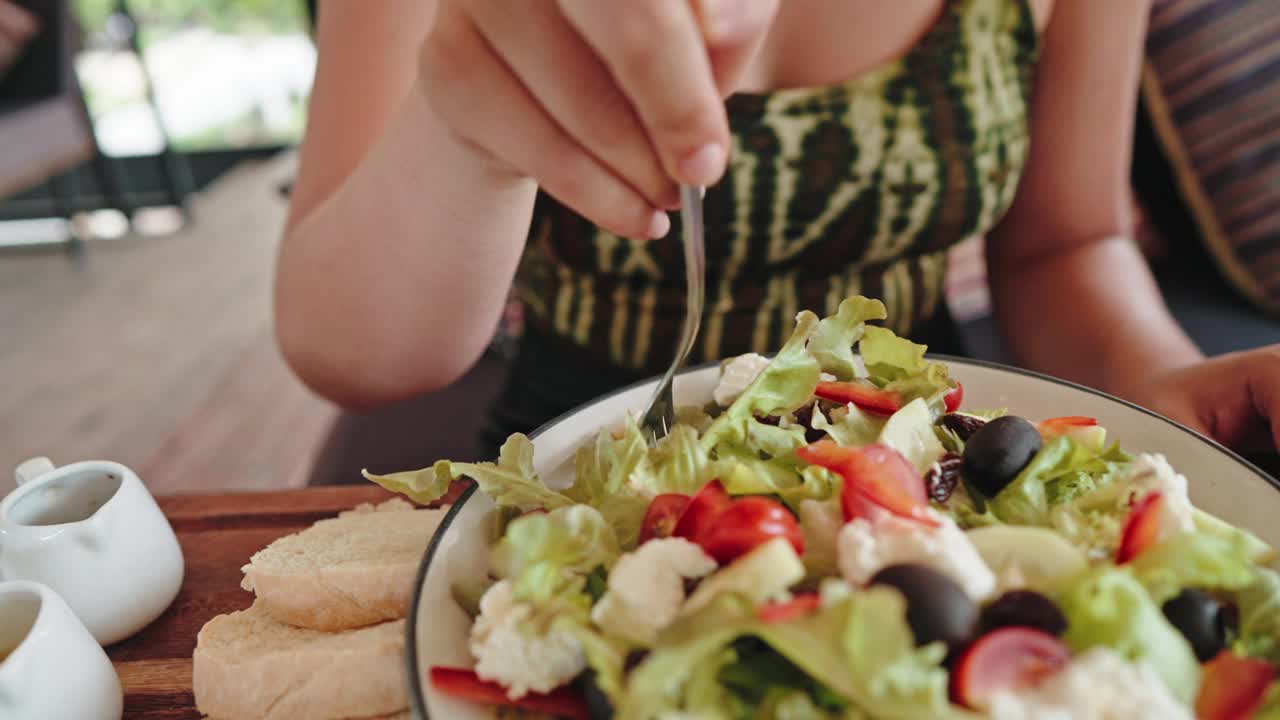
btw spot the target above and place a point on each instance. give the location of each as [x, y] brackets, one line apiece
[510, 482]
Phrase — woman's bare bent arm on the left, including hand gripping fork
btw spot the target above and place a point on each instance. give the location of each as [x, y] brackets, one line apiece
[418, 186]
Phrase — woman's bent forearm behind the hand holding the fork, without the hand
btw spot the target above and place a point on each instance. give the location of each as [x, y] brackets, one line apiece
[395, 284]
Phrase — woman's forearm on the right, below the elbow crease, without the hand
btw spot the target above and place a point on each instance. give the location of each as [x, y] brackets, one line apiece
[1091, 313]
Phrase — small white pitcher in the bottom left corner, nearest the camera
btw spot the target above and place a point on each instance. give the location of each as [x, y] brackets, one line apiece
[51, 667]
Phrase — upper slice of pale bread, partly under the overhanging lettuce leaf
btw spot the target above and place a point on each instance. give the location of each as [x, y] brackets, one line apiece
[349, 572]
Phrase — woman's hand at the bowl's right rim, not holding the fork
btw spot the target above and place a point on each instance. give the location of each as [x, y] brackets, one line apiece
[1233, 399]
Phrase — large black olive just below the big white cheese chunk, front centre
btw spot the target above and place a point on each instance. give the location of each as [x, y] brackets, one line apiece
[938, 609]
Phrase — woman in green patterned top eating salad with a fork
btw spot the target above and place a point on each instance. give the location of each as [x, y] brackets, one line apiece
[860, 142]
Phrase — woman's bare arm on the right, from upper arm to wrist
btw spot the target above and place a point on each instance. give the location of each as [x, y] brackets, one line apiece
[1072, 295]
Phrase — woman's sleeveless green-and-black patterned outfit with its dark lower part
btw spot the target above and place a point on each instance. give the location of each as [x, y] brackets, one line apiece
[858, 188]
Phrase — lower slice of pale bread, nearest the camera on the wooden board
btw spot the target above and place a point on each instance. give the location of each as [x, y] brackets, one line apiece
[249, 667]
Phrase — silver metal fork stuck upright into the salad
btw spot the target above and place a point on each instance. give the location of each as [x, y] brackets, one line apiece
[660, 416]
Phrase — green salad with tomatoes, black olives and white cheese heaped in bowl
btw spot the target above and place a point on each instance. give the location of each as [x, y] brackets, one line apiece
[838, 537]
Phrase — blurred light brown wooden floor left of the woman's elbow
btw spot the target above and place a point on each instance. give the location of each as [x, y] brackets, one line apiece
[158, 352]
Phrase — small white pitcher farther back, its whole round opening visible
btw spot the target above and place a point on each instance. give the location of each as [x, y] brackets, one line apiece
[93, 534]
